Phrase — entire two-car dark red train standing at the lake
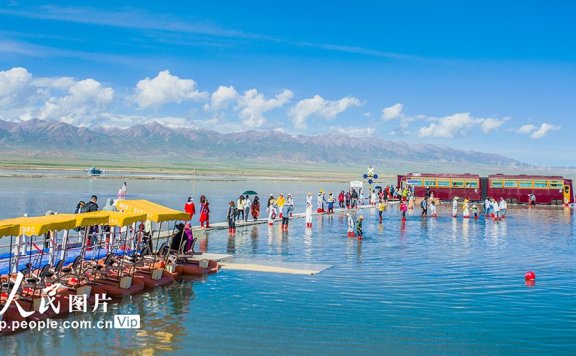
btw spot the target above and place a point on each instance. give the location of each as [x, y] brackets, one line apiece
[551, 190]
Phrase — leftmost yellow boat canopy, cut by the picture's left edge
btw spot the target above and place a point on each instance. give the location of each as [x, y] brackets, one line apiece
[39, 225]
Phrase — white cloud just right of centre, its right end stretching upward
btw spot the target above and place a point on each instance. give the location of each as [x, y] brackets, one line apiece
[320, 107]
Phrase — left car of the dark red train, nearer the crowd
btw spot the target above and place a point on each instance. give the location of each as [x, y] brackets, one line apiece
[444, 186]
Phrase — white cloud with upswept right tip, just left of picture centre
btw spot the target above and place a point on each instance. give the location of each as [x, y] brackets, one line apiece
[253, 105]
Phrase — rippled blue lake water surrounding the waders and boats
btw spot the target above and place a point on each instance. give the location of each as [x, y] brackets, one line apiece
[427, 286]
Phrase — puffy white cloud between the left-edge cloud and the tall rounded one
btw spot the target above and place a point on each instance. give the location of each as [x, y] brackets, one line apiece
[85, 98]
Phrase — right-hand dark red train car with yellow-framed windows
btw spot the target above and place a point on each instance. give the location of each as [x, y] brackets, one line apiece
[517, 188]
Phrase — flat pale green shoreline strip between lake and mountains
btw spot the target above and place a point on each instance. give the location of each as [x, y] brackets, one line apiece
[248, 169]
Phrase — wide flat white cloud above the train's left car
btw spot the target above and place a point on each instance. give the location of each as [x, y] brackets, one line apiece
[458, 125]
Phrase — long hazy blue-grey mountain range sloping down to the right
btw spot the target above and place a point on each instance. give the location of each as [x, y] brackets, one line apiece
[156, 142]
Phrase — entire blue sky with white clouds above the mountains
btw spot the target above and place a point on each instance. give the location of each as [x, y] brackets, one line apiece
[490, 76]
